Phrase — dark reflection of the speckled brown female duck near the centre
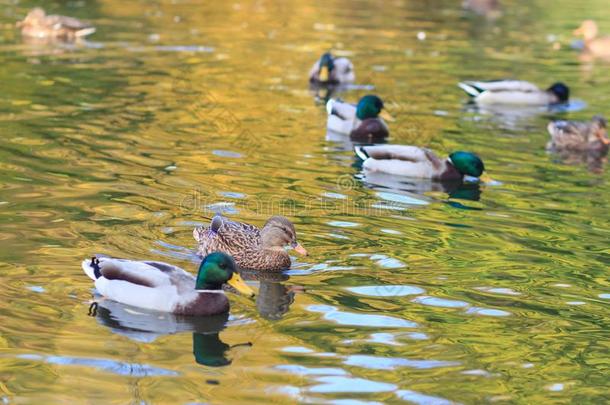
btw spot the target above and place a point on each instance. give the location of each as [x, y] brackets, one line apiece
[274, 298]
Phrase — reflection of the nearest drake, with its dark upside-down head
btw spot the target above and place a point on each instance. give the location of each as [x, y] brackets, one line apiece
[147, 326]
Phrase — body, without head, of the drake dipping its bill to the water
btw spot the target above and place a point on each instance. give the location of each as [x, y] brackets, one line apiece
[403, 160]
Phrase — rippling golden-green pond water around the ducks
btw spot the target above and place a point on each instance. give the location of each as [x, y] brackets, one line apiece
[177, 109]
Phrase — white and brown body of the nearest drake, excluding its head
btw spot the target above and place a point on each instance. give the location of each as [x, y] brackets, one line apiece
[152, 285]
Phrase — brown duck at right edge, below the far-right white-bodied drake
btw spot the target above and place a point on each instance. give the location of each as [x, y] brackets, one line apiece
[578, 135]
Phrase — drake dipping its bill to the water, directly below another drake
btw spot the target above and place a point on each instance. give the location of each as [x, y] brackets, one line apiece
[413, 161]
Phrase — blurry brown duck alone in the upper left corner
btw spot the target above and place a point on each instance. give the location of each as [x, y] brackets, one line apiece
[39, 25]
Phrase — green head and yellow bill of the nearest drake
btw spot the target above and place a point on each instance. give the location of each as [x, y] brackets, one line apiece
[217, 269]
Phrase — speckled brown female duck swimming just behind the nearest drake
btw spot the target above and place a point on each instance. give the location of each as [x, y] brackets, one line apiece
[252, 248]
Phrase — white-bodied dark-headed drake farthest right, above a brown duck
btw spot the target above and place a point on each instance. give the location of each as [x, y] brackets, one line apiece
[515, 92]
